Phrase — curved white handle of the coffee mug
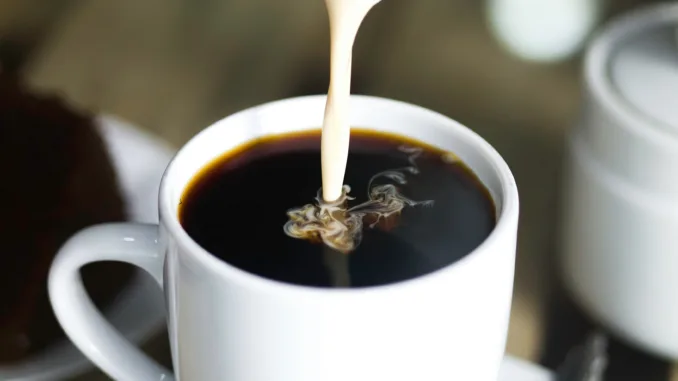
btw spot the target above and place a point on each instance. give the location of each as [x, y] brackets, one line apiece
[136, 244]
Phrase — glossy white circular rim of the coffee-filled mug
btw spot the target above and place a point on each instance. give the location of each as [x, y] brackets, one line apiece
[508, 197]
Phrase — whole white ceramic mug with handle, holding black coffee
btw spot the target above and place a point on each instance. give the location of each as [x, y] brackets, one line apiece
[228, 325]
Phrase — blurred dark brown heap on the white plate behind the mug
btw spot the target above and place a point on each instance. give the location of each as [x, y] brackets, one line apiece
[56, 178]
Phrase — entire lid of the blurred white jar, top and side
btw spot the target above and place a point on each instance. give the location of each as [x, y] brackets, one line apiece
[630, 113]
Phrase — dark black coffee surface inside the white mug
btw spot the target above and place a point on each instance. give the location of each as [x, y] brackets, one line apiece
[422, 211]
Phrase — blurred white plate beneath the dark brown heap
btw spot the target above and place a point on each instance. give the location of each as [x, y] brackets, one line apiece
[139, 312]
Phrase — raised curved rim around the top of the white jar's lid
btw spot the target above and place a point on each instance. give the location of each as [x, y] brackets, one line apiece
[599, 83]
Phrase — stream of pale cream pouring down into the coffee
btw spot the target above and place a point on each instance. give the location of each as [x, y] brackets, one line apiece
[345, 19]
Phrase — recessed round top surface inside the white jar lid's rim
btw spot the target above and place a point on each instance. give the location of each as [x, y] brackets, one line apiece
[644, 70]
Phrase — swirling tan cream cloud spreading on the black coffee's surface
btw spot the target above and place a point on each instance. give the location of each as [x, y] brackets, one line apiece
[340, 227]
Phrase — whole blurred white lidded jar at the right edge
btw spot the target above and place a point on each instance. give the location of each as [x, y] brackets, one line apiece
[620, 212]
